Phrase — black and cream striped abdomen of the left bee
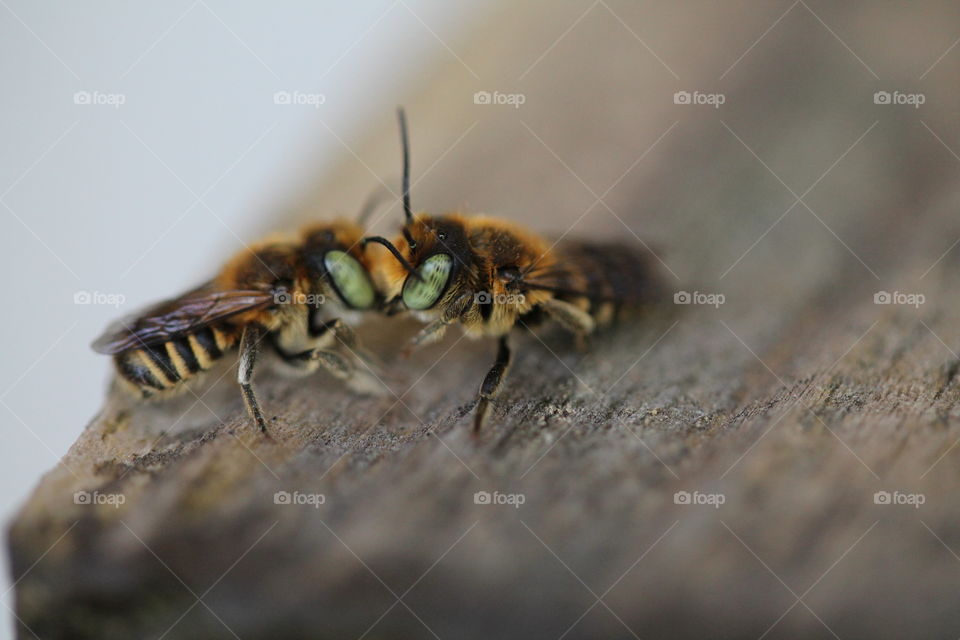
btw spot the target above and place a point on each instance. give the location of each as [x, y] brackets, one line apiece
[163, 367]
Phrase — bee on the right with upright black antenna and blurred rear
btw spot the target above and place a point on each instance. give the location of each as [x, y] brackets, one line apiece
[490, 275]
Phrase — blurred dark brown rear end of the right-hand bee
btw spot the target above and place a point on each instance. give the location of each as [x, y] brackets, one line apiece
[615, 276]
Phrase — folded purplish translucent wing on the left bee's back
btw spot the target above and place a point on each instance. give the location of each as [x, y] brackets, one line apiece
[178, 317]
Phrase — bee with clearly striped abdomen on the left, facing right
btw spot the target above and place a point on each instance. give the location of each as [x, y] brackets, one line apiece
[299, 294]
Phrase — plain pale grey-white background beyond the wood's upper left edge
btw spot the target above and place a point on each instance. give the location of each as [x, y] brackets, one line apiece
[102, 199]
